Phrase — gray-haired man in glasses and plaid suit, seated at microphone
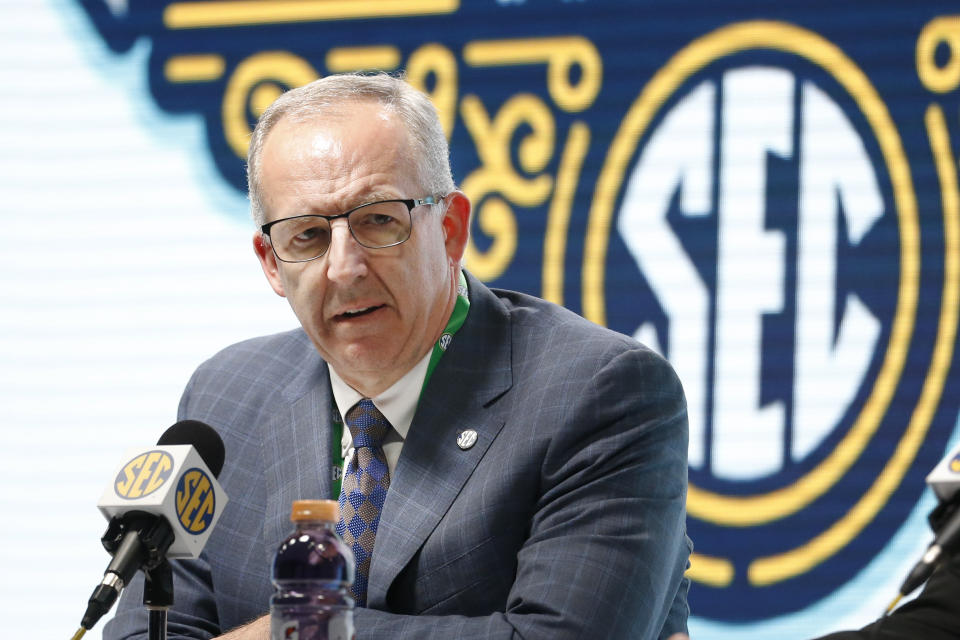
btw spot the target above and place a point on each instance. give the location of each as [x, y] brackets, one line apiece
[536, 462]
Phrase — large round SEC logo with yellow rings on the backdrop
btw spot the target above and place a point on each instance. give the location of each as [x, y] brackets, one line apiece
[761, 189]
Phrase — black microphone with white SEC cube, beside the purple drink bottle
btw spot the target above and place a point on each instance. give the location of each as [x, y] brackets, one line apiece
[163, 503]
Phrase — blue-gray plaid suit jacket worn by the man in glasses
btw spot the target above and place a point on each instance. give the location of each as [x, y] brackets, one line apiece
[565, 520]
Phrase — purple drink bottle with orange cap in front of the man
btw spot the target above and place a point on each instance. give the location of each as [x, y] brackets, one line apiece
[312, 573]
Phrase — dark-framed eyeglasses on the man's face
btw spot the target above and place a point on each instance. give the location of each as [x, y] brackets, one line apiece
[375, 225]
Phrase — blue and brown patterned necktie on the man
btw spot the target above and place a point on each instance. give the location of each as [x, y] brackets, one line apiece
[365, 485]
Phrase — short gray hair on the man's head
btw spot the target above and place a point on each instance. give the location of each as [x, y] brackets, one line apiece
[329, 95]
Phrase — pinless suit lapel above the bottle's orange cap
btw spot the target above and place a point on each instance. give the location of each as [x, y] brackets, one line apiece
[297, 446]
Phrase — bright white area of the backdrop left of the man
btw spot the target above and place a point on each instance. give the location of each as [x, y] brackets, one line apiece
[110, 294]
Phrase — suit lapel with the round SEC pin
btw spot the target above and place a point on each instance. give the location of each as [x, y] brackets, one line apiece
[432, 469]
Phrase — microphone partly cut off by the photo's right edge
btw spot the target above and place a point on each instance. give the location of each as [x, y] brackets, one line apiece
[945, 519]
